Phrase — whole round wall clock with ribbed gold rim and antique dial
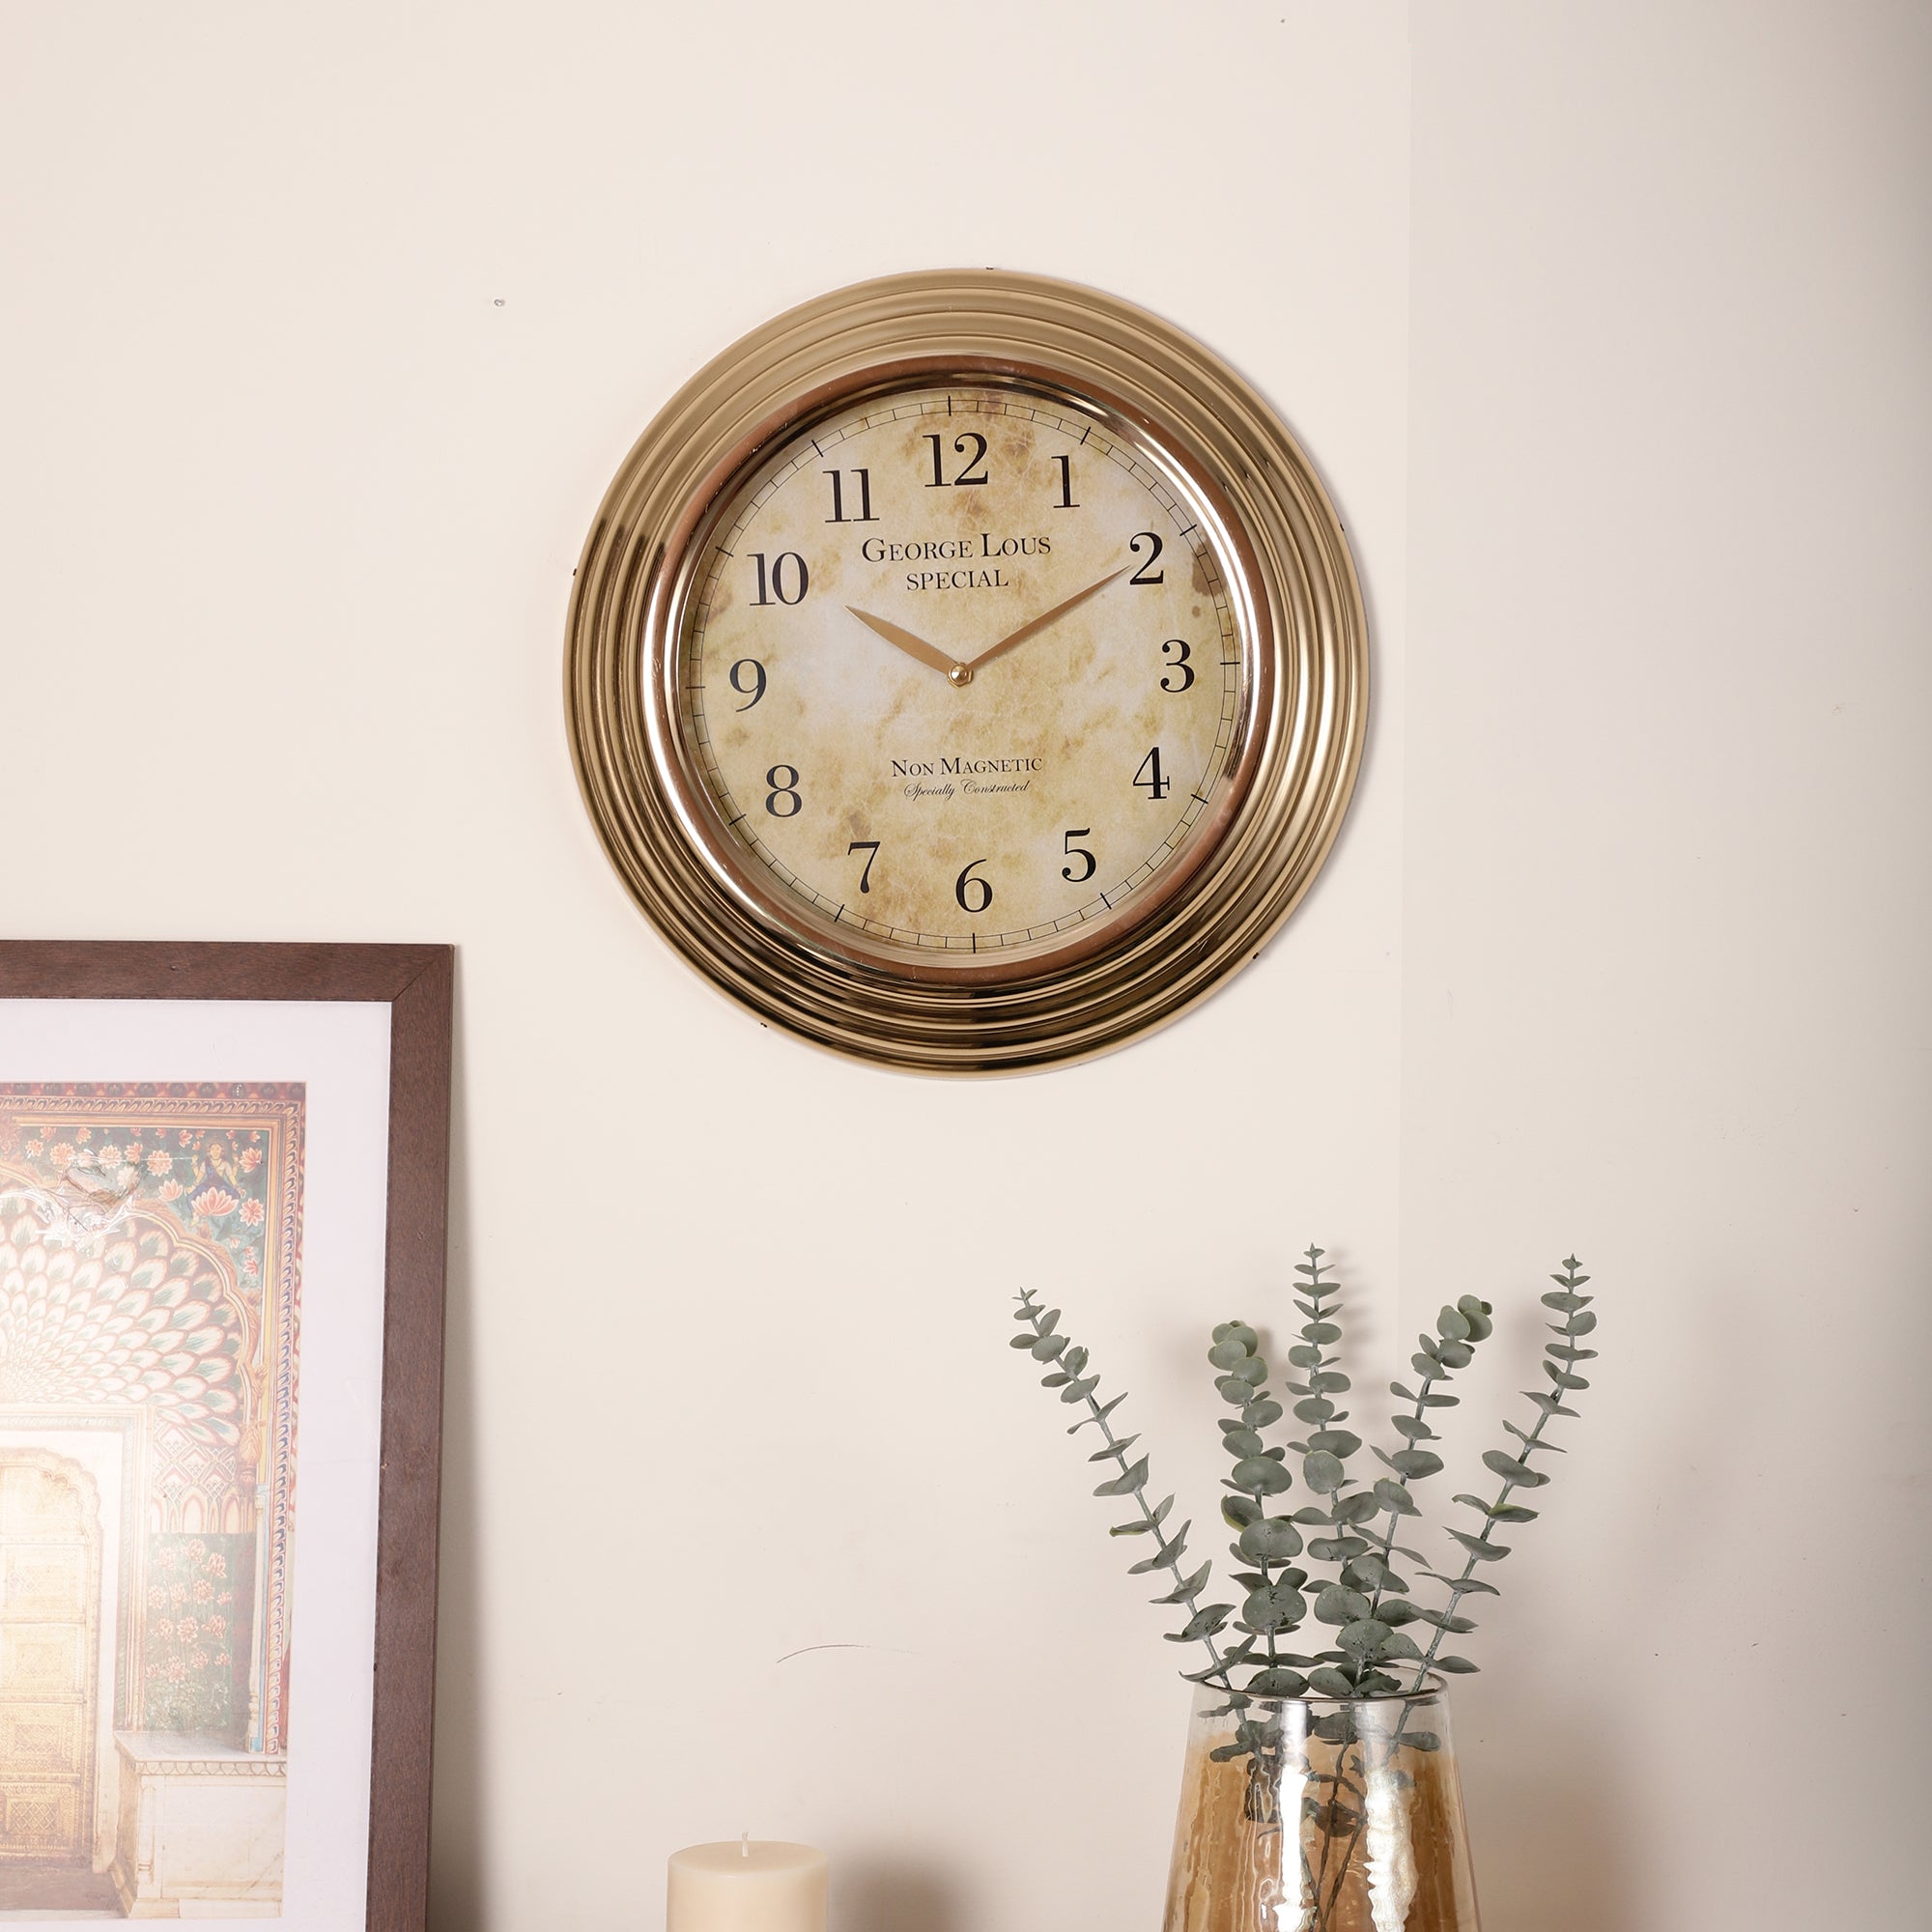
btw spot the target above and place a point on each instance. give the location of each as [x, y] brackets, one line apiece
[967, 671]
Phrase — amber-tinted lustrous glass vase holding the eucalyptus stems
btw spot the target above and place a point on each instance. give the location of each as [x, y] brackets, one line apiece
[1321, 1815]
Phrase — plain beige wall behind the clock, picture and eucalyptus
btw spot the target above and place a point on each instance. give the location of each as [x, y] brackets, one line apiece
[1608, 327]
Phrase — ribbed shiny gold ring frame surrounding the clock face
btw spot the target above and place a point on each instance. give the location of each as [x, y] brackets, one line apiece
[1292, 776]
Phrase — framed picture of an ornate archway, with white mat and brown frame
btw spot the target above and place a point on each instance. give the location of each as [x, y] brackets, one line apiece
[223, 1214]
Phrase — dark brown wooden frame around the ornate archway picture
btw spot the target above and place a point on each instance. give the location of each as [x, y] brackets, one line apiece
[414, 982]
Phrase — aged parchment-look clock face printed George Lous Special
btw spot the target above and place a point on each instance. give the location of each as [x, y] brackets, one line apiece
[963, 675]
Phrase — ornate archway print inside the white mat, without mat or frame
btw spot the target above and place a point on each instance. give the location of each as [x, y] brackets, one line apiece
[150, 1336]
